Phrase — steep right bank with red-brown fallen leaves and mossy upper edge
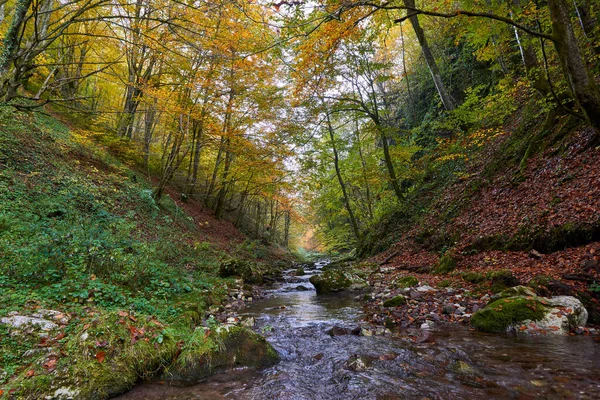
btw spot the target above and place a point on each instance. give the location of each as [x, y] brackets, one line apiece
[525, 210]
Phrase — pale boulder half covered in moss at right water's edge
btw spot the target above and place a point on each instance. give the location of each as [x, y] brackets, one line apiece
[531, 315]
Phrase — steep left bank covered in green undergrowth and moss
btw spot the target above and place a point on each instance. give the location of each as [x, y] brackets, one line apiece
[99, 284]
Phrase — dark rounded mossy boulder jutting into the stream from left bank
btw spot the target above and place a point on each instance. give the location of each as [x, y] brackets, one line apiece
[228, 347]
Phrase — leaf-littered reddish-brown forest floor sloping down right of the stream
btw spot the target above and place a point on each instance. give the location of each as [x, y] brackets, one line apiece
[540, 229]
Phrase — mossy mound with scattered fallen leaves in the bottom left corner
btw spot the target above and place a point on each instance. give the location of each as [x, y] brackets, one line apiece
[103, 359]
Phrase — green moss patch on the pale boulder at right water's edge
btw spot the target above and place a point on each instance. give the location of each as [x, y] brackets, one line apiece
[501, 314]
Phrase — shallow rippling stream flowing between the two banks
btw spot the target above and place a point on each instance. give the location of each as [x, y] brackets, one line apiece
[459, 364]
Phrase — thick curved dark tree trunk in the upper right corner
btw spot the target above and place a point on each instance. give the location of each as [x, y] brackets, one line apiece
[582, 85]
